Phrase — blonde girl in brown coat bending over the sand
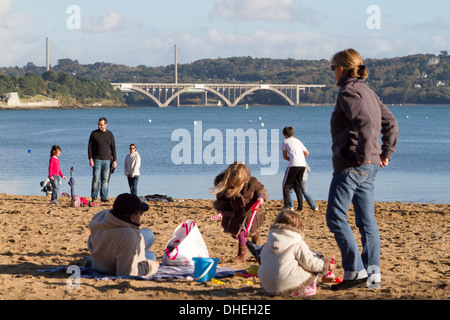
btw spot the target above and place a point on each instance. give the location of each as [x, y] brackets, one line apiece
[236, 192]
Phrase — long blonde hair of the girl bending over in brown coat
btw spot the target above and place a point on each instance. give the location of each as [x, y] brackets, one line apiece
[234, 179]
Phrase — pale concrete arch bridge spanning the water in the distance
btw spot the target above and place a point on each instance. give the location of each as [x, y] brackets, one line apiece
[163, 94]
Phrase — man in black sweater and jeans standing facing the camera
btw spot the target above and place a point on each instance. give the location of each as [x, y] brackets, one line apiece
[101, 151]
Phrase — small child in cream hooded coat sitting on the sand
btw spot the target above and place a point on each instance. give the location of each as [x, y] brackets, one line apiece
[288, 266]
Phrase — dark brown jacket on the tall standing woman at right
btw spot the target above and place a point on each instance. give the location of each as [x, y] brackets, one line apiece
[356, 121]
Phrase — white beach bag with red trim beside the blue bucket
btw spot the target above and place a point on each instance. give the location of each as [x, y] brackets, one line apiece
[186, 243]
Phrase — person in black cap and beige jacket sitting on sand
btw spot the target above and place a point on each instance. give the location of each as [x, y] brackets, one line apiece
[116, 243]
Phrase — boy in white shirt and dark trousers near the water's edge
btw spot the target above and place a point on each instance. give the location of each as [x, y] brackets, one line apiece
[295, 152]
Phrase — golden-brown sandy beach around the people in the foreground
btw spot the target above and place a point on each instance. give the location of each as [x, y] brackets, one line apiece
[34, 235]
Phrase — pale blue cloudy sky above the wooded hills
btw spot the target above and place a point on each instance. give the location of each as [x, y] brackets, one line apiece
[144, 32]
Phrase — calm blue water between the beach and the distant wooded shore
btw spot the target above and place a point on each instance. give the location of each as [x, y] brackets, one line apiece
[419, 172]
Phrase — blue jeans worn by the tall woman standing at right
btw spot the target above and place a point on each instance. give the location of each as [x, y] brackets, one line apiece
[355, 185]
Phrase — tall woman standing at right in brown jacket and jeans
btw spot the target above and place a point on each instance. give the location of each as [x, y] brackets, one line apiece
[357, 155]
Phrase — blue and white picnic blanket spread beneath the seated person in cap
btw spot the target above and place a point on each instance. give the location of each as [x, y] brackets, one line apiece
[164, 272]
